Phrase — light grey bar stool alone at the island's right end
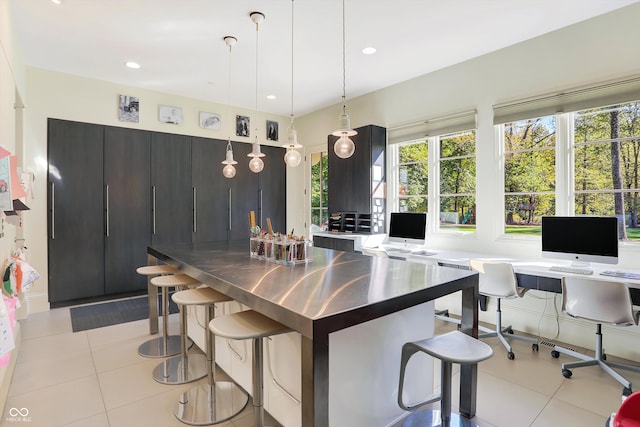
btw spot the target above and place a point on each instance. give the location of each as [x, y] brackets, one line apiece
[452, 347]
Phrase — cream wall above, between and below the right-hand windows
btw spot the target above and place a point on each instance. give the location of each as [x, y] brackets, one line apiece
[595, 51]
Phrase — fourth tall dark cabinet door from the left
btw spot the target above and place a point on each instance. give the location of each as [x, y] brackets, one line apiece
[210, 215]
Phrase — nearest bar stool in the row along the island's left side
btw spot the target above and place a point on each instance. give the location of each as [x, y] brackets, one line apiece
[250, 325]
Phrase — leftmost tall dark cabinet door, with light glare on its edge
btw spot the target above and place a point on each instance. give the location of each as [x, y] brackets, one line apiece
[75, 210]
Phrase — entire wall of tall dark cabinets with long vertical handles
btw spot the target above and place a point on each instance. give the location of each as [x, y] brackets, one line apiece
[114, 191]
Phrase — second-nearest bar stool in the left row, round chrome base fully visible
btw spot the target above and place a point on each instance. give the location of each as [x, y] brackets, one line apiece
[213, 401]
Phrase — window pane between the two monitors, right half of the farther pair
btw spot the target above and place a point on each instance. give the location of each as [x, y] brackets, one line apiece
[458, 181]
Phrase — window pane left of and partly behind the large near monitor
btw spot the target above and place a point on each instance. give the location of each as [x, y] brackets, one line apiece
[529, 173]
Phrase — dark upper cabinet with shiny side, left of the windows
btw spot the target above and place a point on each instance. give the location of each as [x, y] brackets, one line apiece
[358, 183]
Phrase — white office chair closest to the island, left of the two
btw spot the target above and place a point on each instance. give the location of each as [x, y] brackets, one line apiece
[498, 280]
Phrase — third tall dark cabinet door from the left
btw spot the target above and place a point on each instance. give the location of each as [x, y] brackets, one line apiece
[171, 214]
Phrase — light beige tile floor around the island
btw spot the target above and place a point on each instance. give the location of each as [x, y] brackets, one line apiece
[95, 378]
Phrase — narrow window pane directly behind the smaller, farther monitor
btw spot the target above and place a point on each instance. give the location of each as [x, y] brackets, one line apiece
[413, 174]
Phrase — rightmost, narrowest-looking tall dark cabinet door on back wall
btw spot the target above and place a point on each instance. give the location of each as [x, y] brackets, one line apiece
[272, 193]
